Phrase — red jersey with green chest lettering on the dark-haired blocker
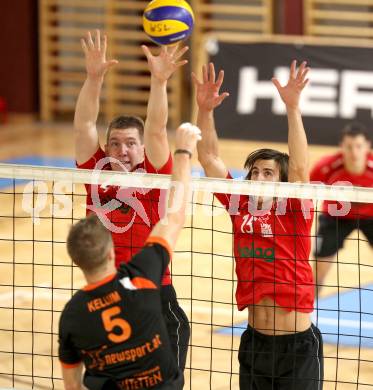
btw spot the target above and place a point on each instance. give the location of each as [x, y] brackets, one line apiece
[272, 248]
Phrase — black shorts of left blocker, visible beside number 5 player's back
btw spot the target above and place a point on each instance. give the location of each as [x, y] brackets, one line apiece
[177, 324]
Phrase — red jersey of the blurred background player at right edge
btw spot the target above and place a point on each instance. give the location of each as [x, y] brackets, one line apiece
[330, 170]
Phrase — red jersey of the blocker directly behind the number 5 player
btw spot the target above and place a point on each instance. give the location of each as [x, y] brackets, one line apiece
[132, 213]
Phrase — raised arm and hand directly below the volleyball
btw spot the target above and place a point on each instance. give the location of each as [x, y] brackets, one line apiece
[161, 67]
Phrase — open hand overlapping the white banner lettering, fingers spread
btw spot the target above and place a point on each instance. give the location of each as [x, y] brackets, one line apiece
[290, 93]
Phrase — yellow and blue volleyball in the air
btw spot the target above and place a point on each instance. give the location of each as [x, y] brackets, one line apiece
[168, 21]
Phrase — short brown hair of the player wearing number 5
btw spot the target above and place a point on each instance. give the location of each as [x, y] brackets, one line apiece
[89, 243]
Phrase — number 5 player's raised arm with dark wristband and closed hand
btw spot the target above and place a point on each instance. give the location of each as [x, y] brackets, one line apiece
[170, 226]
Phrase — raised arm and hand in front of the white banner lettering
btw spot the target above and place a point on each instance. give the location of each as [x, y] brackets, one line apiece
[297, 139]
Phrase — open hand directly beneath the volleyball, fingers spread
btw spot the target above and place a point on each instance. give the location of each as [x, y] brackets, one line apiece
[163, 66]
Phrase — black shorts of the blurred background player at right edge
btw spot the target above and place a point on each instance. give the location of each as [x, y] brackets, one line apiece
[332, 232]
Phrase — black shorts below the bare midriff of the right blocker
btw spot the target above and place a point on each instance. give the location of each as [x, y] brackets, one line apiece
[289, 362]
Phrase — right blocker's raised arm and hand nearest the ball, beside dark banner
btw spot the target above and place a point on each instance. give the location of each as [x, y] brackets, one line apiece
[208, 98]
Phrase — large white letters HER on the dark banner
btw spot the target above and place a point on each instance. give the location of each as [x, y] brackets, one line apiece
[319, 99]
